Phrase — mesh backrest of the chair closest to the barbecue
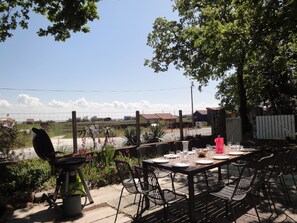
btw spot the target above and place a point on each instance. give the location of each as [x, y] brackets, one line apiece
[127, 176]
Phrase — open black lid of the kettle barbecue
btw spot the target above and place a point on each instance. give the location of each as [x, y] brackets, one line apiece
[43, 145]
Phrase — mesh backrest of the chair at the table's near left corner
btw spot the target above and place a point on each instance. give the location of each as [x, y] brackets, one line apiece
[154, 191]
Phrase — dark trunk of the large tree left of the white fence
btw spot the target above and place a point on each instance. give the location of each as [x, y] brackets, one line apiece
[243, 111]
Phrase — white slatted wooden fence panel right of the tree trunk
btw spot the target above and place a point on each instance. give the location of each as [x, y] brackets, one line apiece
[276, 127]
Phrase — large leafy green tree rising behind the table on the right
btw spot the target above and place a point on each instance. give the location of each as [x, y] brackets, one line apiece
[249, 45]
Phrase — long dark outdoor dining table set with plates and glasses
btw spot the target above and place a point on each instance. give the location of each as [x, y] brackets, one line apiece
[191, 165]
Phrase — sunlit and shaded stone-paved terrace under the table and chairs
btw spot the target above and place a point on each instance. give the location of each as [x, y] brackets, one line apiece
[106, 199]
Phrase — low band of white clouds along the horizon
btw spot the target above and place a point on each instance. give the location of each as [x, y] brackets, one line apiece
[28, 107]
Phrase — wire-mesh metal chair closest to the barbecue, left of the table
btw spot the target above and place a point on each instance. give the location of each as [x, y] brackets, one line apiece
[129, 182]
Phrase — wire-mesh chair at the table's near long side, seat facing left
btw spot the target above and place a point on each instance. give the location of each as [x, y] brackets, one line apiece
[243, 186]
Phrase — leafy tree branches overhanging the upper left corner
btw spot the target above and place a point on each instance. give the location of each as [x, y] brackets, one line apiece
[65, 16]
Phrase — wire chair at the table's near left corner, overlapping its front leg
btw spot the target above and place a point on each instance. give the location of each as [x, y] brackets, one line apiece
[153, 192]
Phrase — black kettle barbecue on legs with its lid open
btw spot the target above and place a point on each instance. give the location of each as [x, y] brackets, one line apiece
[65, 167]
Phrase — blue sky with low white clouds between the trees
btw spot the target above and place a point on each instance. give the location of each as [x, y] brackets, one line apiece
[99, 72]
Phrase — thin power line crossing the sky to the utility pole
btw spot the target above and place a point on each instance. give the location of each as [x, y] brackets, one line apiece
[91, 91]
